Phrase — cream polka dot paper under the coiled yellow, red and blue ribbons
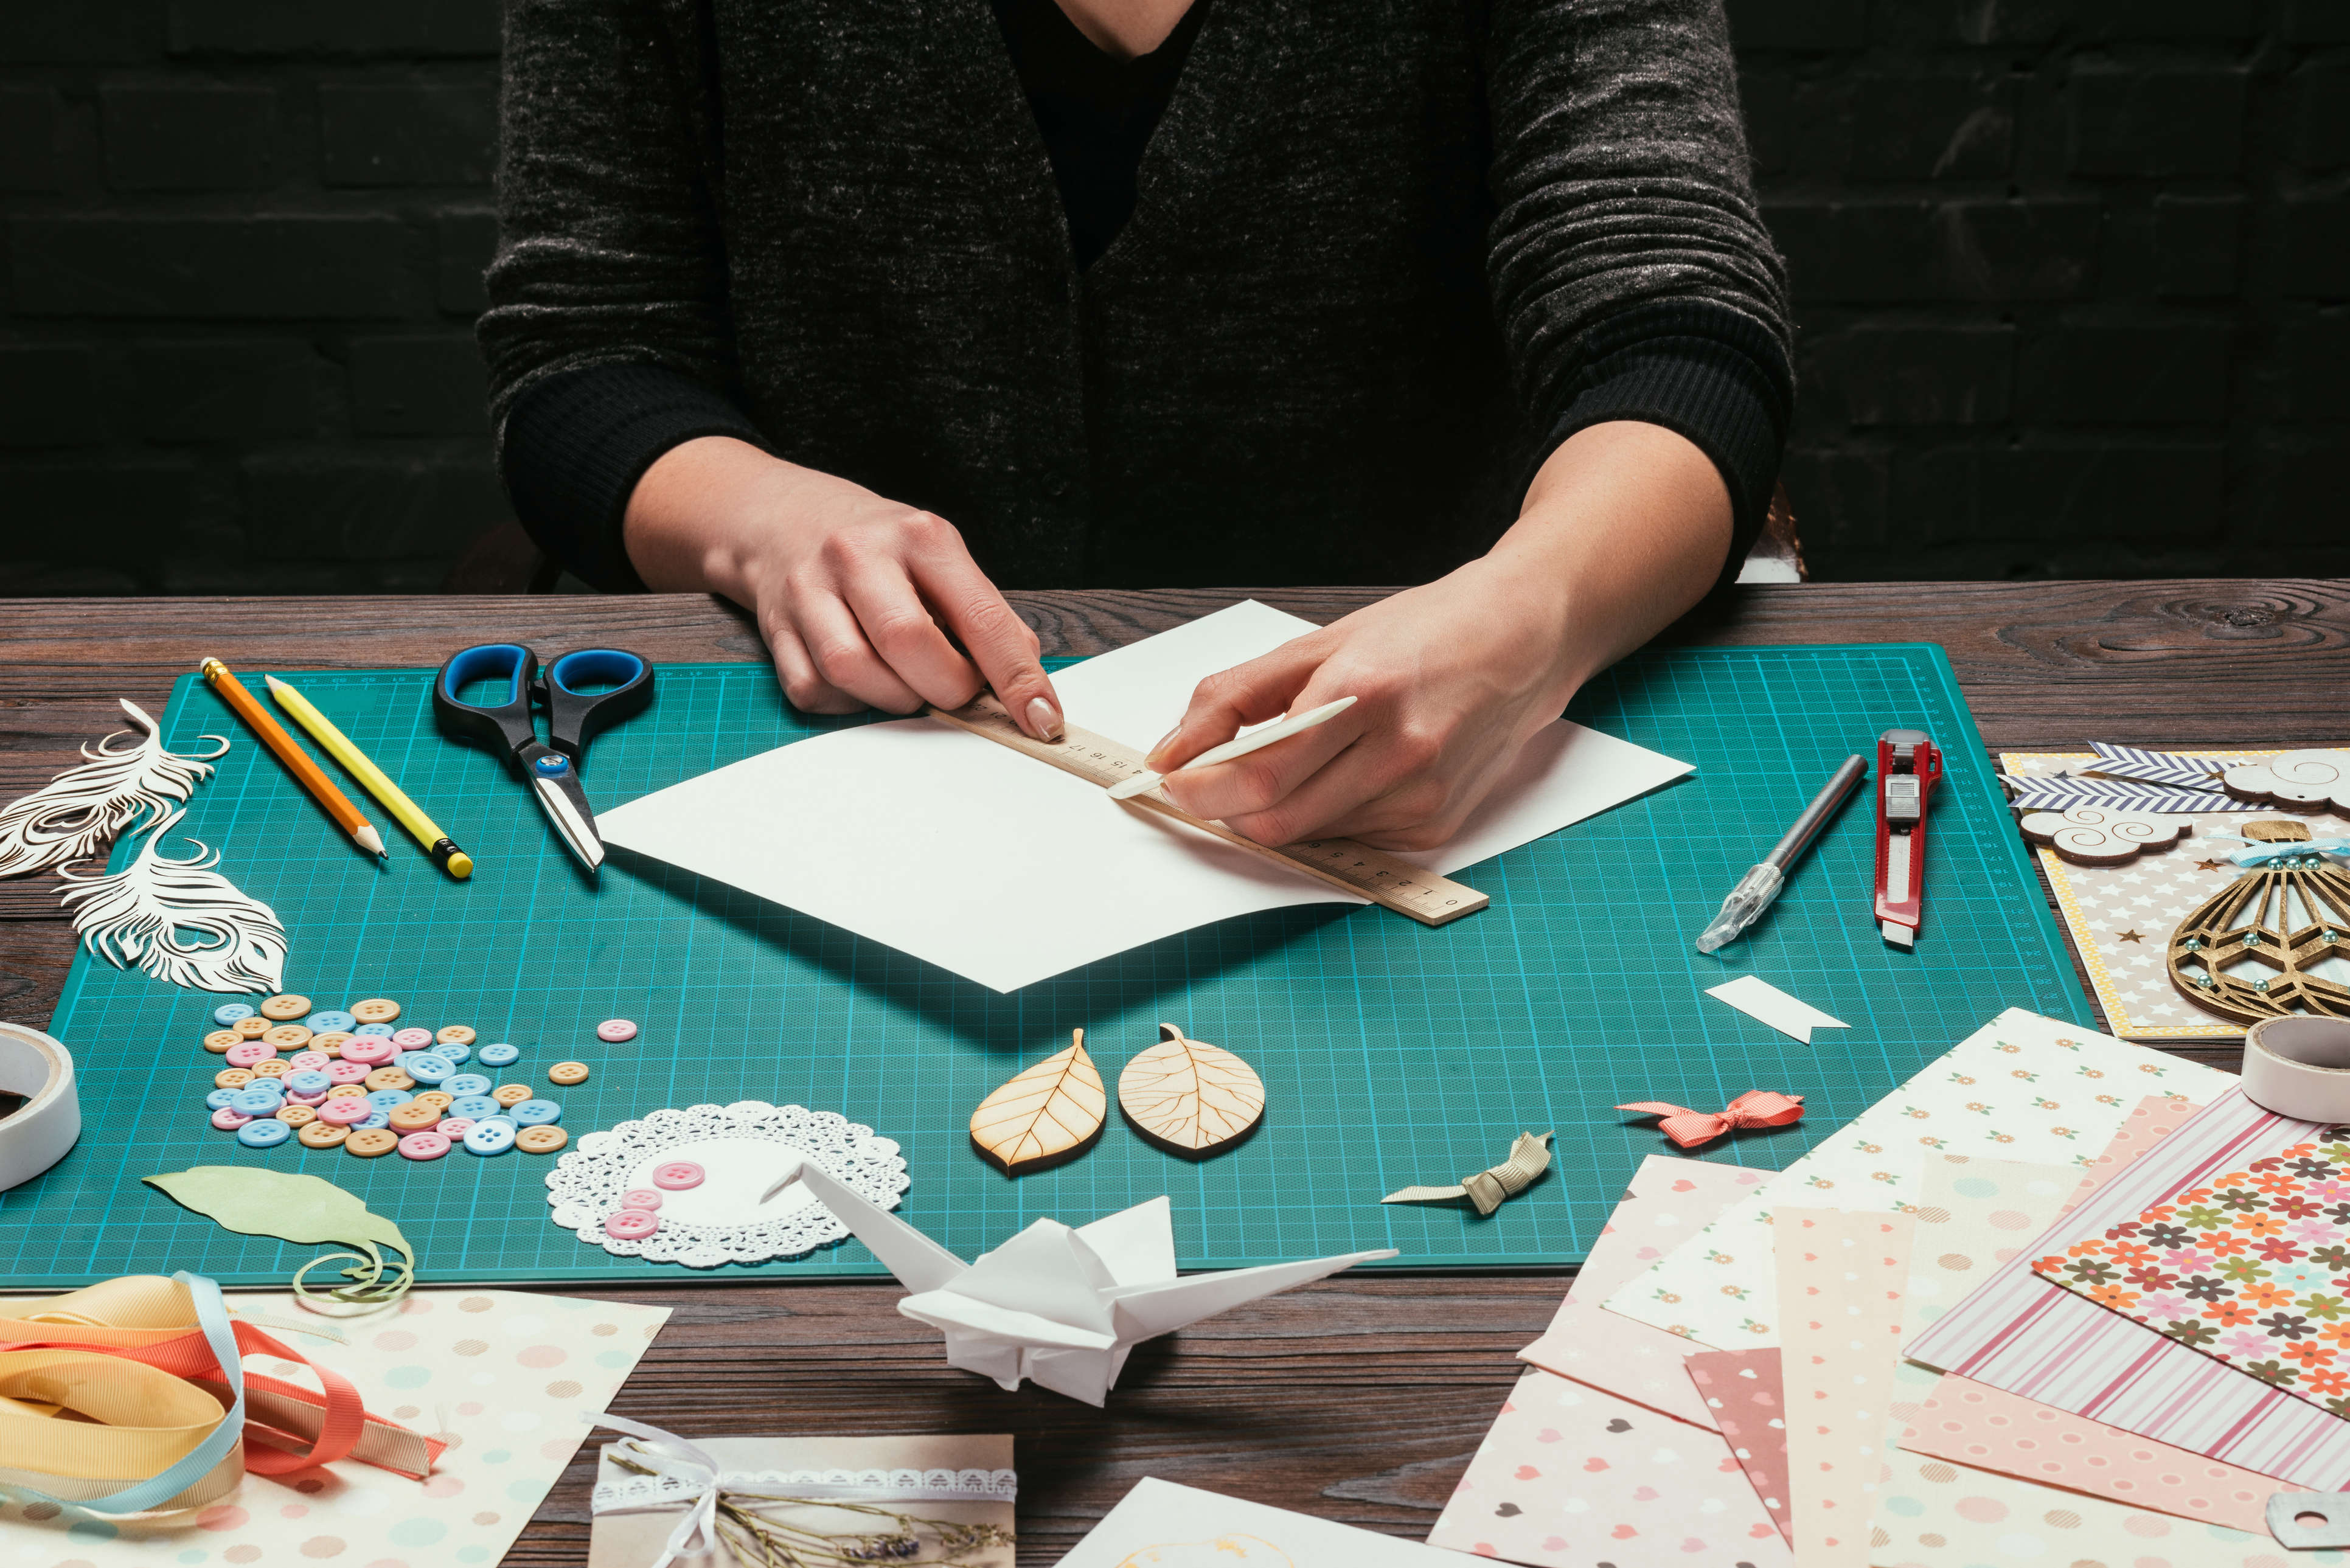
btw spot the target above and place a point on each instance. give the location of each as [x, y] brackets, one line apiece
[497, 1374]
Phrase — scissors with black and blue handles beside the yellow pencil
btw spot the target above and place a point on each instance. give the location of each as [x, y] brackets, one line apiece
[572, 721]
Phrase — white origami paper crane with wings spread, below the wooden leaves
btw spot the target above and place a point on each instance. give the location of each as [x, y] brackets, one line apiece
[1054, 1306]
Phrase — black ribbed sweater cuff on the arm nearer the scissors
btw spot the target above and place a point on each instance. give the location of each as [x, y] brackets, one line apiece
[579, 443]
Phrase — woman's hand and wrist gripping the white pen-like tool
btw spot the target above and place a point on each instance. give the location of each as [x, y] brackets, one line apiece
[1623, 530]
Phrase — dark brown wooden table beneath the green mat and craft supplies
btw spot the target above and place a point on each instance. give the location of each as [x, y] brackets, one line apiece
[1362, 1398]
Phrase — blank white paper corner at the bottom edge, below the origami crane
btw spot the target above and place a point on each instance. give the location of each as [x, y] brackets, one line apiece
[1179, 1527]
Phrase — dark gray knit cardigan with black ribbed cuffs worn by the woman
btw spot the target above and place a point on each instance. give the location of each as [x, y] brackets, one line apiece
[1385, 257]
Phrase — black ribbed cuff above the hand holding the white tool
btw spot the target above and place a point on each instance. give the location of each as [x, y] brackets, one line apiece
[1705, 373]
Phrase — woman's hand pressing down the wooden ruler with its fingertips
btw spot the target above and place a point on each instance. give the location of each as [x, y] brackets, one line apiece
[864, 603]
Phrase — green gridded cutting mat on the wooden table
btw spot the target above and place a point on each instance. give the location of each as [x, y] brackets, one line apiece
[1392, 1054]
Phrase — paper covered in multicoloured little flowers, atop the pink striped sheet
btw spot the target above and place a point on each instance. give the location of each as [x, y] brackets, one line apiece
[2252, 1268]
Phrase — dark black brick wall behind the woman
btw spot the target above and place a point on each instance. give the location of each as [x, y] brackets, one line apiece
[2074, 283]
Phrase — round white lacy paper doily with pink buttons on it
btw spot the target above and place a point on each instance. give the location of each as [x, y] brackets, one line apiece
[741, 1148]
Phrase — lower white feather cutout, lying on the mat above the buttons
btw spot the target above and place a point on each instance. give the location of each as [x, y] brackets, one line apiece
[177, 920]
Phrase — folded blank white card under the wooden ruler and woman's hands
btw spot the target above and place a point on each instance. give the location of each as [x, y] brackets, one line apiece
[1007, 871]
